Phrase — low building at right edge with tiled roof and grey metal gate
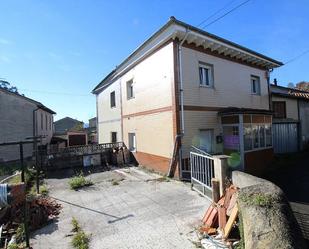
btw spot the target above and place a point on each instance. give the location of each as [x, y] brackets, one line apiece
[290, 118]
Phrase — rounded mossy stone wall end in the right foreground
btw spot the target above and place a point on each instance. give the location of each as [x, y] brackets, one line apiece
[268, 221]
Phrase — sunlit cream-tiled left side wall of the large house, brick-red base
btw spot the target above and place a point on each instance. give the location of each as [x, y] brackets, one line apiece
[149, 114]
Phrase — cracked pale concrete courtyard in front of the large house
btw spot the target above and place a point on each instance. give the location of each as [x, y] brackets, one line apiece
[142, 211]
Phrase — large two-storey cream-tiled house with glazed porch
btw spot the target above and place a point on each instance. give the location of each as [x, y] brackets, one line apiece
[182, 87]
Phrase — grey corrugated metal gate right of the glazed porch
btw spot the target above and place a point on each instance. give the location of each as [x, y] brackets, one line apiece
[285, 137]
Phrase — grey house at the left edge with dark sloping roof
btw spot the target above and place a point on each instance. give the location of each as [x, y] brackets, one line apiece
[22, 118]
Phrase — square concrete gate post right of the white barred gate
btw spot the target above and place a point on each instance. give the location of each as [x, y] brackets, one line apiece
[221, 167]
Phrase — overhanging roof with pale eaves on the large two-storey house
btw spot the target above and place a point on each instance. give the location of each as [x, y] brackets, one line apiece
[180, 31]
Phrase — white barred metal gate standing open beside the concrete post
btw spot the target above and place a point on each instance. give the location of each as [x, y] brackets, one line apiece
[202, 171]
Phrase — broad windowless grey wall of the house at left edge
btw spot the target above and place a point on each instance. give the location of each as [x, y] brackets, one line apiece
[16, 124]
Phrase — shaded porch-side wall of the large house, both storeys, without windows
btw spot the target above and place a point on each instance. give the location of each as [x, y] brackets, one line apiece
[232, 88]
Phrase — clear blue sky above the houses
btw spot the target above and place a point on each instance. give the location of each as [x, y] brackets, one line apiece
[57, 51]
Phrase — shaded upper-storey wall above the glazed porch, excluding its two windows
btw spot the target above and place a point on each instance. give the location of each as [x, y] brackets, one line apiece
[232, 86]
